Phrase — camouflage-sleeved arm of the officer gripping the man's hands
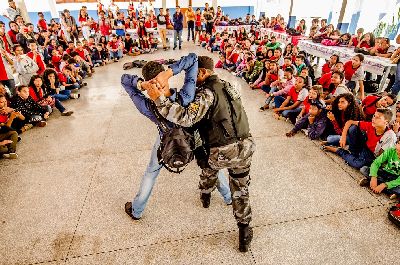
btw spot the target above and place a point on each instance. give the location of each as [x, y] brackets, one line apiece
[186, 117]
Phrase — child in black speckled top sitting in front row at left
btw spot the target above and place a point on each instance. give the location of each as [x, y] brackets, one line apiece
[32, 111]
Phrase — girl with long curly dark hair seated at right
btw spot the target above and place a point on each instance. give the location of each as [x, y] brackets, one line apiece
[343, 108]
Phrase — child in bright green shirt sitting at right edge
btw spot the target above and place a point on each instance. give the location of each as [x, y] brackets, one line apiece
[384, 173]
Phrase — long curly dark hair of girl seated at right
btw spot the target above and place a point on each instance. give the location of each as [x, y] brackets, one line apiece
[352, 112]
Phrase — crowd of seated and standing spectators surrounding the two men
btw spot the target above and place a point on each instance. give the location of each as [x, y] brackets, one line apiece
[44, 65]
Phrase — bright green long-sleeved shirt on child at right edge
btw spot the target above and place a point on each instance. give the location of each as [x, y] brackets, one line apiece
[391, 162]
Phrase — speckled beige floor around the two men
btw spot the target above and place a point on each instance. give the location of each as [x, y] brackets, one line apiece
[62, 200]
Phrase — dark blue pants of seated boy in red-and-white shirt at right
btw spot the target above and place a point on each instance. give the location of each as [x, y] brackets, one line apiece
[358, 155]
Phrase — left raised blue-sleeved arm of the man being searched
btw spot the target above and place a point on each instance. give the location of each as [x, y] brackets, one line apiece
[130, 84]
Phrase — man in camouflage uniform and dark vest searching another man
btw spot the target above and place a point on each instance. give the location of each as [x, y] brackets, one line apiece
[218, 114]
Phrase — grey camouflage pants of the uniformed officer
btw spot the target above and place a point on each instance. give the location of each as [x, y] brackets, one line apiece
[236, 158]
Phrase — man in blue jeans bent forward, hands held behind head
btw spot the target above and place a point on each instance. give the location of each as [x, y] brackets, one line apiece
[133, 85]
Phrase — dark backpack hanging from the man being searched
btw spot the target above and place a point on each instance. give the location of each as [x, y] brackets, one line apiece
[176, 146]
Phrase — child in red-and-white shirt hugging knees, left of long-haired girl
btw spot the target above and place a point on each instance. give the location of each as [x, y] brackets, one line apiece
[290, 107]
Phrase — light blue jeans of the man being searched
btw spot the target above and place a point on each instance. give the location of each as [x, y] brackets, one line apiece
[149, 178]
